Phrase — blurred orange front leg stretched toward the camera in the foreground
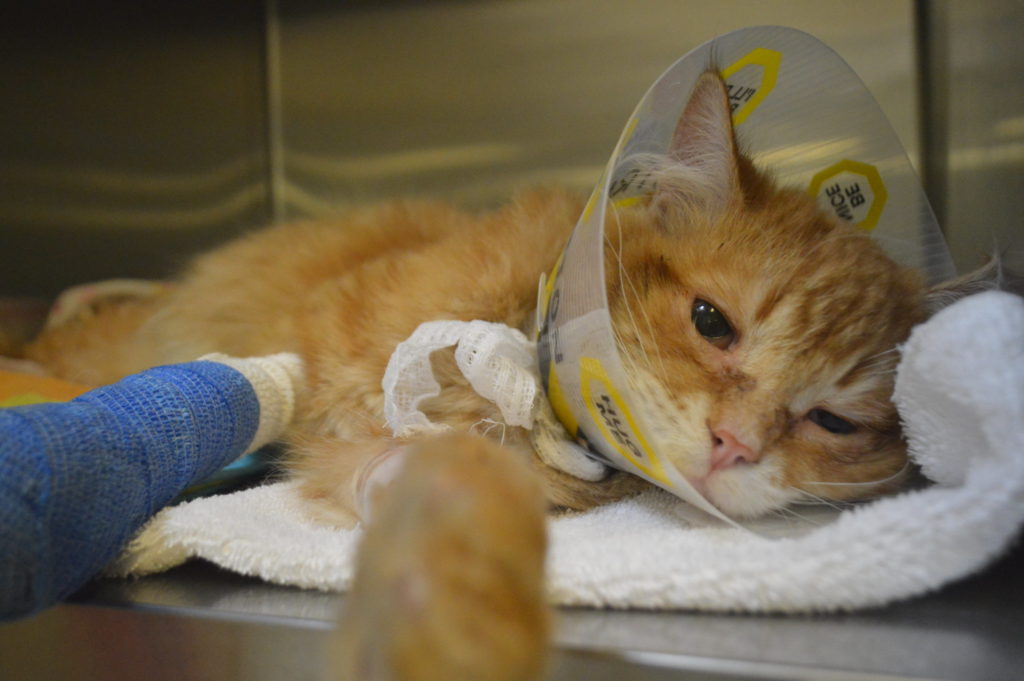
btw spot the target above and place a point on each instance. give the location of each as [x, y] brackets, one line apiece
[450, 581]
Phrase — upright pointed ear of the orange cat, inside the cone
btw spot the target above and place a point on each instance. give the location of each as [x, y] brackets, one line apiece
[704, 168]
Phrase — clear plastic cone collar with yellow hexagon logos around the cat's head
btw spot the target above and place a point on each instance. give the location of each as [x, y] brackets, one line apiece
[801, 111]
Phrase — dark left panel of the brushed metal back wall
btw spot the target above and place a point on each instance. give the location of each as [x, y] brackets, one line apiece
[131, 135]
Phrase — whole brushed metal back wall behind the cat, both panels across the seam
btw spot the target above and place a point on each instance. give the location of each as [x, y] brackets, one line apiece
[134, 136]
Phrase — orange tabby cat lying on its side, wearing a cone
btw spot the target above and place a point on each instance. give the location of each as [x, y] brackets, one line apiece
[758, 332]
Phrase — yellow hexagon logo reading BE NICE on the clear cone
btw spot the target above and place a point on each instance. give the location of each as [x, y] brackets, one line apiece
[852, 191]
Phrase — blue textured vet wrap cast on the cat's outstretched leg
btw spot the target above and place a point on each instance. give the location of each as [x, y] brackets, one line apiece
[78, 480]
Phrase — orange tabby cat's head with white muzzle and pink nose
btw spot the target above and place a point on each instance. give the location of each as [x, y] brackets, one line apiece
[759, 333]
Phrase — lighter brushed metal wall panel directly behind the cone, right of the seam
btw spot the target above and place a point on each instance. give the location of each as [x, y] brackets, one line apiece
[470, 101]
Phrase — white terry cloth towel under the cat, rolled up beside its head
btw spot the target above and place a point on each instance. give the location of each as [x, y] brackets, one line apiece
[961, 394]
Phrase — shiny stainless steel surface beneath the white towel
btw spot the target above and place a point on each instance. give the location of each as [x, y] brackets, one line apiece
[198, 622]
